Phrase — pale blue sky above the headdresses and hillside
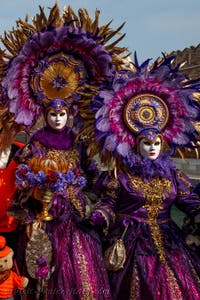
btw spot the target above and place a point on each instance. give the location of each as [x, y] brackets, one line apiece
[152, 26]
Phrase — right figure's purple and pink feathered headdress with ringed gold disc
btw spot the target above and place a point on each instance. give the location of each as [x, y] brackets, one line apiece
[154, 96]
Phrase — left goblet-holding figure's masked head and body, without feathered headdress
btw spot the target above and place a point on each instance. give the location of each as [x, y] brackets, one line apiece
[56, 172]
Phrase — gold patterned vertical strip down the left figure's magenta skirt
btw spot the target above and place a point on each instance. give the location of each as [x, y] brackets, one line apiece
[87, 290]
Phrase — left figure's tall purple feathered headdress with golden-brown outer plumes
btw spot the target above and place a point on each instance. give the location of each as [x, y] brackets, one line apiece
[55, 57]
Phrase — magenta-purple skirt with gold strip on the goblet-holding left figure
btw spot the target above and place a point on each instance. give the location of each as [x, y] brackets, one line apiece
[80, 272]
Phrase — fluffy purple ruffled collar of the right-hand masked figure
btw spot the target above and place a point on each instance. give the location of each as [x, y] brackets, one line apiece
[148, 169]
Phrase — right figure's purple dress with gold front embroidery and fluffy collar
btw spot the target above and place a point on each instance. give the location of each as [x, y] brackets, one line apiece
[159, 264]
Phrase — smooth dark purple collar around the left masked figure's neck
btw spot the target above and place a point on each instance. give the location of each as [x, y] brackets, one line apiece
[56, 139]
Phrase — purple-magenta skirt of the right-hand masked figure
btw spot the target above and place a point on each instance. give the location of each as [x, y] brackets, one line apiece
[146, 276]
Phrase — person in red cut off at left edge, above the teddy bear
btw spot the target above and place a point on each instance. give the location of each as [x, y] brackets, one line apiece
[8, 149]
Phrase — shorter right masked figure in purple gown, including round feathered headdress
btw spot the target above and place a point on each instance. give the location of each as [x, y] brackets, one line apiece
[140, 121]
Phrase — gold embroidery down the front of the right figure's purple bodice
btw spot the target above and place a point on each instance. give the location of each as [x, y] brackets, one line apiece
[154, 191]
